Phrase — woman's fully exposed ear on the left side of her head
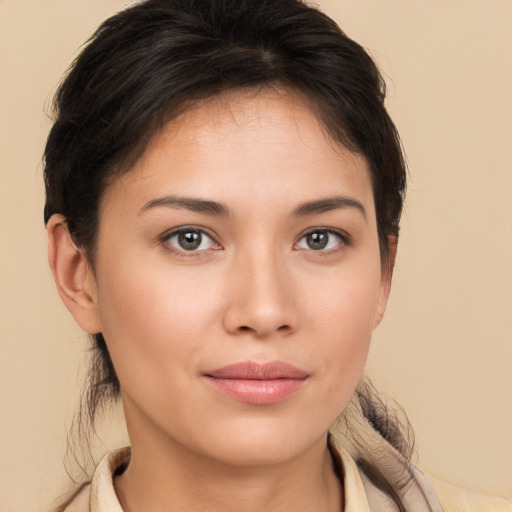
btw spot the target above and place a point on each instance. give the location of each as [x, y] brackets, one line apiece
[73, 276]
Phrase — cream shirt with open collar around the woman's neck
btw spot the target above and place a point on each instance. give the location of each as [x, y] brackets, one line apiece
[100, 496]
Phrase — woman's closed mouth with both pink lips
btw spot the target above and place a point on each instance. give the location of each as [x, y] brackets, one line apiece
[258, 384]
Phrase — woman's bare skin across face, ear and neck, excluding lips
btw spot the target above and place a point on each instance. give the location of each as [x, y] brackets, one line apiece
[254, 291]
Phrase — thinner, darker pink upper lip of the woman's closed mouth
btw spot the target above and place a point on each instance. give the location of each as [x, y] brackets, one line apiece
[251, 370]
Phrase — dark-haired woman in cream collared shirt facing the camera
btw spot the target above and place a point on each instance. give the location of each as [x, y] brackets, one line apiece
[224, 189]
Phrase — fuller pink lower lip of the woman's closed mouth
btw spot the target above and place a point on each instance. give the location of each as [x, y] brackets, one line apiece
[258, 392]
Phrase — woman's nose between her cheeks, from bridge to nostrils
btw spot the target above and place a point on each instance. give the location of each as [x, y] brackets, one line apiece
[261, 298]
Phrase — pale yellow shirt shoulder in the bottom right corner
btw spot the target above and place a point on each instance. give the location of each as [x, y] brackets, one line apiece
[457, 499]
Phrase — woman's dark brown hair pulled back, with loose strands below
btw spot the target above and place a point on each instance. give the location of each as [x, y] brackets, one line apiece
[150, 62]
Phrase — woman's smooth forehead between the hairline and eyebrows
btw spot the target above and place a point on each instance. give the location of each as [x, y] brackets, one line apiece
[246, 144]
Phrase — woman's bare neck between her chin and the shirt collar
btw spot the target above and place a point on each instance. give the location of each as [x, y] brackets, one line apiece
[165, 475]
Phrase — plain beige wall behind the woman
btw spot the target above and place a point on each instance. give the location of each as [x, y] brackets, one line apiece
[445, 348]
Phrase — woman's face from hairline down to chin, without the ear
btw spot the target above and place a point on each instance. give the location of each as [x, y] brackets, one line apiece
[238, 280]
